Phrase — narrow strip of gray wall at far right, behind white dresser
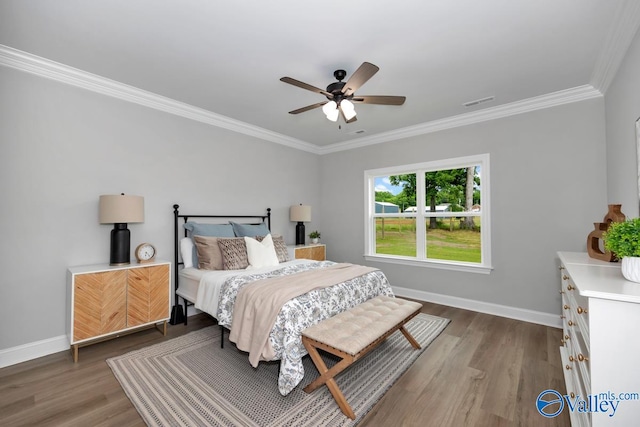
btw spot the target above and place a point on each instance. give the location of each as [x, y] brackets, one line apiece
[622, 111]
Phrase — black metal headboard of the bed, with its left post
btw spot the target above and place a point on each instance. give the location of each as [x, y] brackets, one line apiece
[176, 312]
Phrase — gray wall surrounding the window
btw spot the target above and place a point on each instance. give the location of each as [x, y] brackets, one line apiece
[548, 185]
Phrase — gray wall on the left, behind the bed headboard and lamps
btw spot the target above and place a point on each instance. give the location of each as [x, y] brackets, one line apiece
[61, 147]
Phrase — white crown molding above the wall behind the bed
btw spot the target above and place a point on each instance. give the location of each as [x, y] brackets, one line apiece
[43, 67]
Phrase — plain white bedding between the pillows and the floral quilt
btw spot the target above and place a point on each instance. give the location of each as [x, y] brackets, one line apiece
[202, 287]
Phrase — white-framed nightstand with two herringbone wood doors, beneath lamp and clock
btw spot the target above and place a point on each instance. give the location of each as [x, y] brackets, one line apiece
[108, 301]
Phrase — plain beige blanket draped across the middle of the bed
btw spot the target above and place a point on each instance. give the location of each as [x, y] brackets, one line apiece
[258, 304]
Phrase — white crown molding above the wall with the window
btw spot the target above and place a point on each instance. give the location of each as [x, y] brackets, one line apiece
[567, 96]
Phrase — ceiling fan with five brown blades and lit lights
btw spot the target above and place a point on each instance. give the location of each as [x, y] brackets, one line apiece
[341, 96]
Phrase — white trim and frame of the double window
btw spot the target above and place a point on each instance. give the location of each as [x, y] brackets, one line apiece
[420, 260]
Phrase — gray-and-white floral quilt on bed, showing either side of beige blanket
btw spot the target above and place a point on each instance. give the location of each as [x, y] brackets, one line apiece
[302, 312]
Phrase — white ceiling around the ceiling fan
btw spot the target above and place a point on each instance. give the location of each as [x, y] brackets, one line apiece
[227, 57]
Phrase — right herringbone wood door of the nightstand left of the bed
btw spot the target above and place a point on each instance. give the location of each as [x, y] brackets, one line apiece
[147, 295]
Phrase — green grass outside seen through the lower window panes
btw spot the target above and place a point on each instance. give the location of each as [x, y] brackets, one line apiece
[447, 242]
